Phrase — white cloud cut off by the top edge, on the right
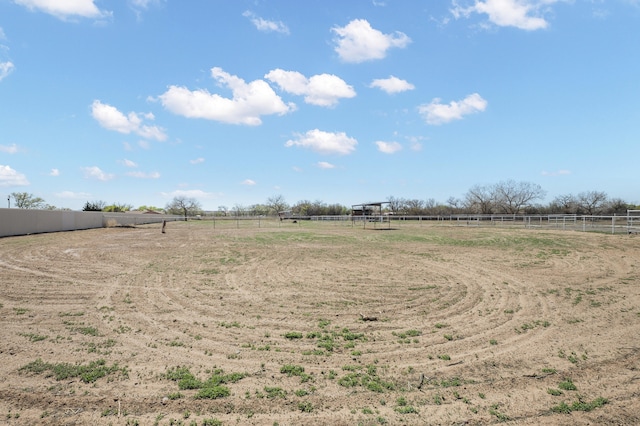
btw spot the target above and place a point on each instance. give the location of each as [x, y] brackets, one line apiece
[522, 14]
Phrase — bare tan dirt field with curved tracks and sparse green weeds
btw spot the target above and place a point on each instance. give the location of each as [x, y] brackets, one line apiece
[319, 324]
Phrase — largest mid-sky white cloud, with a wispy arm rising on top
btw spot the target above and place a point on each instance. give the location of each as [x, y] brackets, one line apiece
[249, 102]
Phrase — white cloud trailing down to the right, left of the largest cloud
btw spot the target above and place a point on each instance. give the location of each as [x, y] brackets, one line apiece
[111, 119]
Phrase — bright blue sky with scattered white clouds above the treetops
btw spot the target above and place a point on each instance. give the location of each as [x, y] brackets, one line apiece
[232, 102]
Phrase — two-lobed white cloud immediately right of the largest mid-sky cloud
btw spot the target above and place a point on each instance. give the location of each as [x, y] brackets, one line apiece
[321, 89]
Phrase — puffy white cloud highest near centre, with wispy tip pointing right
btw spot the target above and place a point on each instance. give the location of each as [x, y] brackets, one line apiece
[359, 42]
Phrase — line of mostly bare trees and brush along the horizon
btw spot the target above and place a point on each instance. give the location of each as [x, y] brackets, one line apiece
[505, 197]
